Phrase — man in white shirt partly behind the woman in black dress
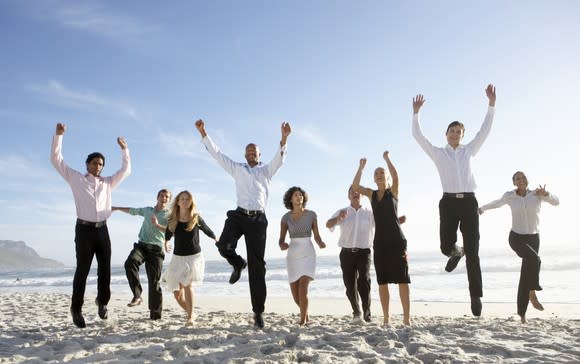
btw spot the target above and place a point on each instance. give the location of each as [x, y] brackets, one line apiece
[356, 237]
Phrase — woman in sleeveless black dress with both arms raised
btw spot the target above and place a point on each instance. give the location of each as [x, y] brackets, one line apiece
[389, 244]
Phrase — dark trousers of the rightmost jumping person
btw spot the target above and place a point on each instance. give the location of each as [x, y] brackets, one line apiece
[527, 246]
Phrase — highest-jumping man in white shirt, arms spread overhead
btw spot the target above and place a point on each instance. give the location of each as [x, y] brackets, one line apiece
[458, 206]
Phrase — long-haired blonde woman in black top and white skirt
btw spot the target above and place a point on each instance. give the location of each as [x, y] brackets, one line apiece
[187, 265]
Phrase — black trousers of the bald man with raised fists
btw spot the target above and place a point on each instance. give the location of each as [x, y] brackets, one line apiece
[254, 230]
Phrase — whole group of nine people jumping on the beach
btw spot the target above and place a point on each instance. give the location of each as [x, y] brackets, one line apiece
[361, 229]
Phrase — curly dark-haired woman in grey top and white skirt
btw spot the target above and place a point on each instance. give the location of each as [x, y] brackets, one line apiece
[301, 257]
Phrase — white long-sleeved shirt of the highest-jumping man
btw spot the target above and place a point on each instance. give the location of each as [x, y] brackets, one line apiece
[454, 165]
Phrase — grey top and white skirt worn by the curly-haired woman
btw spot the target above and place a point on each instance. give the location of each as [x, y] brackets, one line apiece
[301, 257]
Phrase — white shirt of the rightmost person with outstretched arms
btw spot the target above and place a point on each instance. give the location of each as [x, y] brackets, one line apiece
[525, 210]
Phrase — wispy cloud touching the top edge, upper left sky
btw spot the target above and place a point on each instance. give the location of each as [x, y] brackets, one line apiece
[91, 17]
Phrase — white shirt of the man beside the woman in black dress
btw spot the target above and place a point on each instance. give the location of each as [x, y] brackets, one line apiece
[356, 229]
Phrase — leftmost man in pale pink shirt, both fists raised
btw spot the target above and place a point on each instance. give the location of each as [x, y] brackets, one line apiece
[92, 195]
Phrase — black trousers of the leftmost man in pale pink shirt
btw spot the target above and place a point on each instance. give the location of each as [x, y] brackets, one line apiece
[91, 241]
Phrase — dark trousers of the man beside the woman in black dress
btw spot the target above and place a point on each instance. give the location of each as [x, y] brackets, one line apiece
[355, 265]
